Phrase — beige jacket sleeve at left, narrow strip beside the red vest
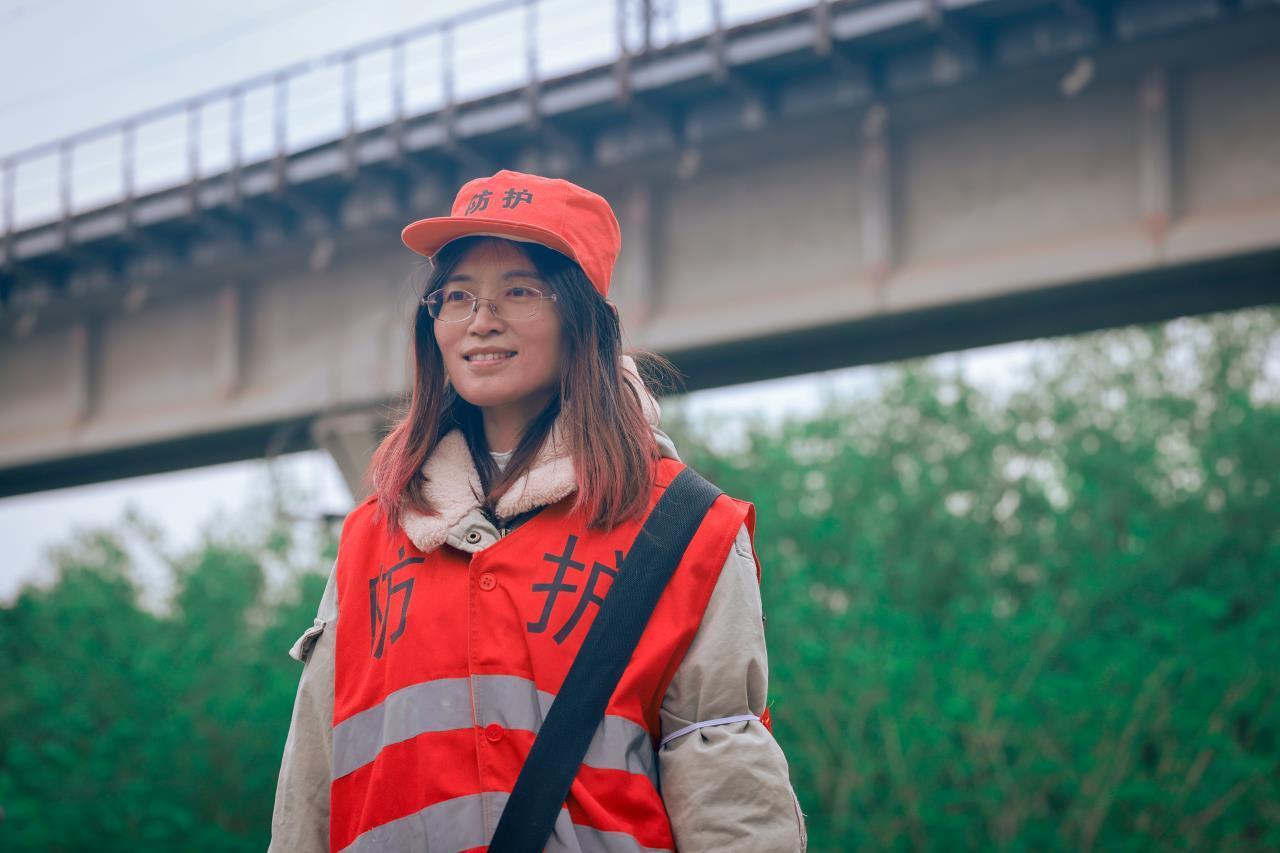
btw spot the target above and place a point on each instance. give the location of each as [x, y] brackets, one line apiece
[300, 822]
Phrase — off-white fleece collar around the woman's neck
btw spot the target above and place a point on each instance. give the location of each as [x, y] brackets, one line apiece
[452, 486]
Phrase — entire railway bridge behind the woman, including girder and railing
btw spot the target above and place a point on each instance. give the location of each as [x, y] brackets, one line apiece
[801, 188]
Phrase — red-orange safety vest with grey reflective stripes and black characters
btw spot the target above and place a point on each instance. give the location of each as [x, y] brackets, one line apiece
[447, 663]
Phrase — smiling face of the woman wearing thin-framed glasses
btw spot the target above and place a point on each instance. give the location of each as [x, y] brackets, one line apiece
[525, 376]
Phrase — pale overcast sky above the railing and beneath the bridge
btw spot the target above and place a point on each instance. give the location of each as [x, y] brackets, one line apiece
[74, 65]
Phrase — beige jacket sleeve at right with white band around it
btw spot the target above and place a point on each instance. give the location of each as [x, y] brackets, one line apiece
[726, 787]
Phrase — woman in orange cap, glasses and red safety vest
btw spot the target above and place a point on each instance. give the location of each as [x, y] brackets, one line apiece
[504, 505]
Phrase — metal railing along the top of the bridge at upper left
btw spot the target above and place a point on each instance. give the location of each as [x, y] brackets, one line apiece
[496, 48]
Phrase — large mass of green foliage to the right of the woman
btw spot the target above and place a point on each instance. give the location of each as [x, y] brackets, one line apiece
[1048, 623]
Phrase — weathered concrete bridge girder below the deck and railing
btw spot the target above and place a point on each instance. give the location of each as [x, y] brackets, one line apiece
[1013, 206]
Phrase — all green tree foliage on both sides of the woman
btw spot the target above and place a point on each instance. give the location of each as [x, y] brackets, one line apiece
[1040, 623]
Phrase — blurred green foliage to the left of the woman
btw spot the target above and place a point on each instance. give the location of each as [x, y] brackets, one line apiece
[122, 729]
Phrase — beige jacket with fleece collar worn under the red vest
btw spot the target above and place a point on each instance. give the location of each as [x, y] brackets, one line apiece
[725, 787]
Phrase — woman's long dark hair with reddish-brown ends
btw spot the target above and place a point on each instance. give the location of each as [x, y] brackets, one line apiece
[602, 421]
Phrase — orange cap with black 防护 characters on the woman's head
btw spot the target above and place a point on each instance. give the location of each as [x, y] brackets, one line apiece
[529, 208]
